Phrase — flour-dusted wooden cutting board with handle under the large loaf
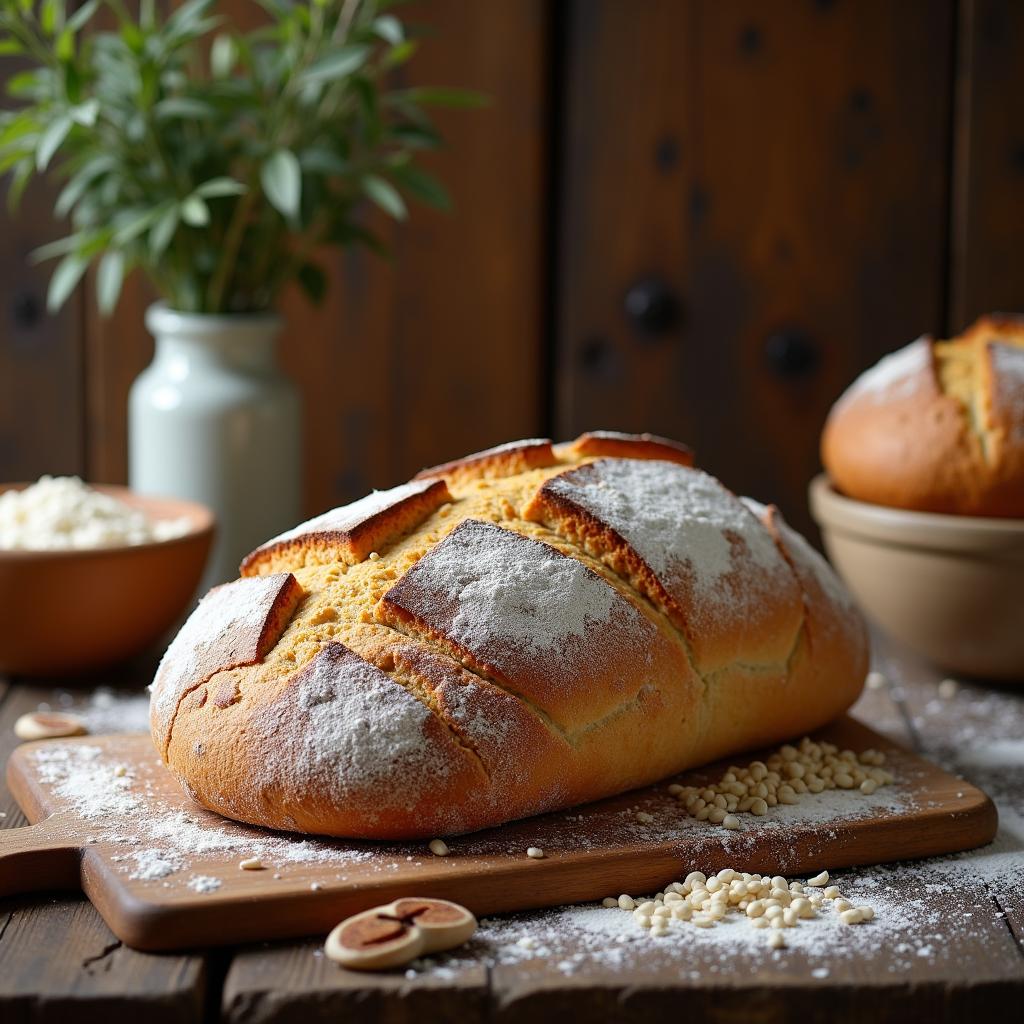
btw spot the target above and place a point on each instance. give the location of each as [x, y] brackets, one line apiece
[105, 809]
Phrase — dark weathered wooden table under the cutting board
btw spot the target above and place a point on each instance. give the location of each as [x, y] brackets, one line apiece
[60, 962]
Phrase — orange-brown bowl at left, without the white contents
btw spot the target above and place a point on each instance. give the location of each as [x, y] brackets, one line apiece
[64, 613]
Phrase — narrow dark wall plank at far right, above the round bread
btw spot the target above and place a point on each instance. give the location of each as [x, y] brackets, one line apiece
[989, 162]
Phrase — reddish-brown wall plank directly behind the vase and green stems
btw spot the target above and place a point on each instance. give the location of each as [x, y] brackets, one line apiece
[439, 353]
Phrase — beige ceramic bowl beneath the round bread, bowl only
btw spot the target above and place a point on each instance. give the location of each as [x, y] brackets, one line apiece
[950, 587]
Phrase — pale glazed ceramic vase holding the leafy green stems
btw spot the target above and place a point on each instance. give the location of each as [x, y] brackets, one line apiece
[214, 419]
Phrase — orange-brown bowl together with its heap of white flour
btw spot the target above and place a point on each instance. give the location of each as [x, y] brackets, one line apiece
[93, 576]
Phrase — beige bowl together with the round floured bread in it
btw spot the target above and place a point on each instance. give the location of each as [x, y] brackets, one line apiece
[922, 508]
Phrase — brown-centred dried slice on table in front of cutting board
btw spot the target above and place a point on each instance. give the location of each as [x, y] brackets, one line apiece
[399, 932]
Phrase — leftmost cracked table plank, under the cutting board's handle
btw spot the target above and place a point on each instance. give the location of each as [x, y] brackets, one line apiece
[60, 962]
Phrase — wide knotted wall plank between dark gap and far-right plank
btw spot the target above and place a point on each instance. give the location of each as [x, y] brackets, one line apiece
[784, 174]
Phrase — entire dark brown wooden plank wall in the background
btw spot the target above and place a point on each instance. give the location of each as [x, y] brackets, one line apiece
[696, 218]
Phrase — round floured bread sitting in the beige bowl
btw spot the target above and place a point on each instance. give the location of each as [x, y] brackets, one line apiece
[937, 426]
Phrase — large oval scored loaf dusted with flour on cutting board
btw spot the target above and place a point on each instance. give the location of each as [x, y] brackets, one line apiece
[523, 630]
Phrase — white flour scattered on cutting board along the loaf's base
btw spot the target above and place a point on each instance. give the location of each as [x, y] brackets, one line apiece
[160, 842]
